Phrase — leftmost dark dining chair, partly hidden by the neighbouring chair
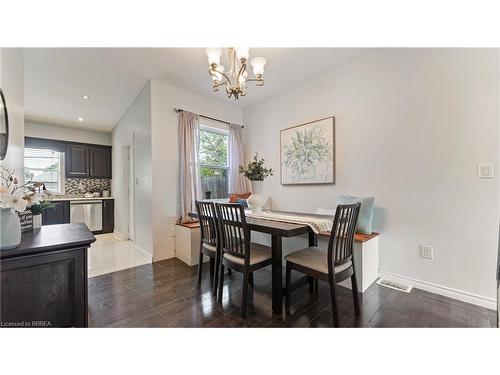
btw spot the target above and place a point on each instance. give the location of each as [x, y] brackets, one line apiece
[210, 243]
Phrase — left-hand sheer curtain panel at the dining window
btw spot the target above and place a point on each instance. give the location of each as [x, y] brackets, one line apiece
[190, 184]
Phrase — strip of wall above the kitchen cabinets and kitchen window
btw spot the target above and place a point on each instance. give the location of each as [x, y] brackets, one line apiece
[39, 129]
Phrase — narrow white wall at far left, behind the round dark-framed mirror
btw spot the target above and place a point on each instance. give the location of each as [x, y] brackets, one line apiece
[12, 84]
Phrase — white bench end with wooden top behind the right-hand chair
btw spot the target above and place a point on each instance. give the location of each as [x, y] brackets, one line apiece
[366, 261]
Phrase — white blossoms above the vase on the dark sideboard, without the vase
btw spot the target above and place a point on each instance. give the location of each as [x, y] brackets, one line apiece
[17, 197]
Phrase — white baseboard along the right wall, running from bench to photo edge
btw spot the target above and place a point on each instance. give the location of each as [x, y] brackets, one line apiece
[489, 303]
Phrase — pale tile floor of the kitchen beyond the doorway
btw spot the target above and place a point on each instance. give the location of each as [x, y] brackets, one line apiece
[109, 254]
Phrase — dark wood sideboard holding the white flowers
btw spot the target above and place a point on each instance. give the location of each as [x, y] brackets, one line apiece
[43, 282]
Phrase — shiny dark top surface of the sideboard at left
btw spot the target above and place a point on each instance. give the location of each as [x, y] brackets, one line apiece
[50, 238]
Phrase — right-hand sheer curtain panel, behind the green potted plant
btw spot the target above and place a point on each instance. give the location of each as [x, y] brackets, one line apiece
[238, 183]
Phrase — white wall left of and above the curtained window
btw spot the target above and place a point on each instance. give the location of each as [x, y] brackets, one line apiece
[165, 146]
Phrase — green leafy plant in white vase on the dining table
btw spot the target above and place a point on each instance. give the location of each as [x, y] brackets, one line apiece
[256, 172]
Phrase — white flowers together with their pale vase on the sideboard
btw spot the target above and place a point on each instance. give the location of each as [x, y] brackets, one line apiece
[14, 198]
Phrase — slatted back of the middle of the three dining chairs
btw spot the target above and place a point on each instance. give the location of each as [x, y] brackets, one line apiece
[235, 235]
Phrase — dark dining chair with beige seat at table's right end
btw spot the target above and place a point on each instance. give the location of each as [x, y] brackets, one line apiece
[333, 265]
